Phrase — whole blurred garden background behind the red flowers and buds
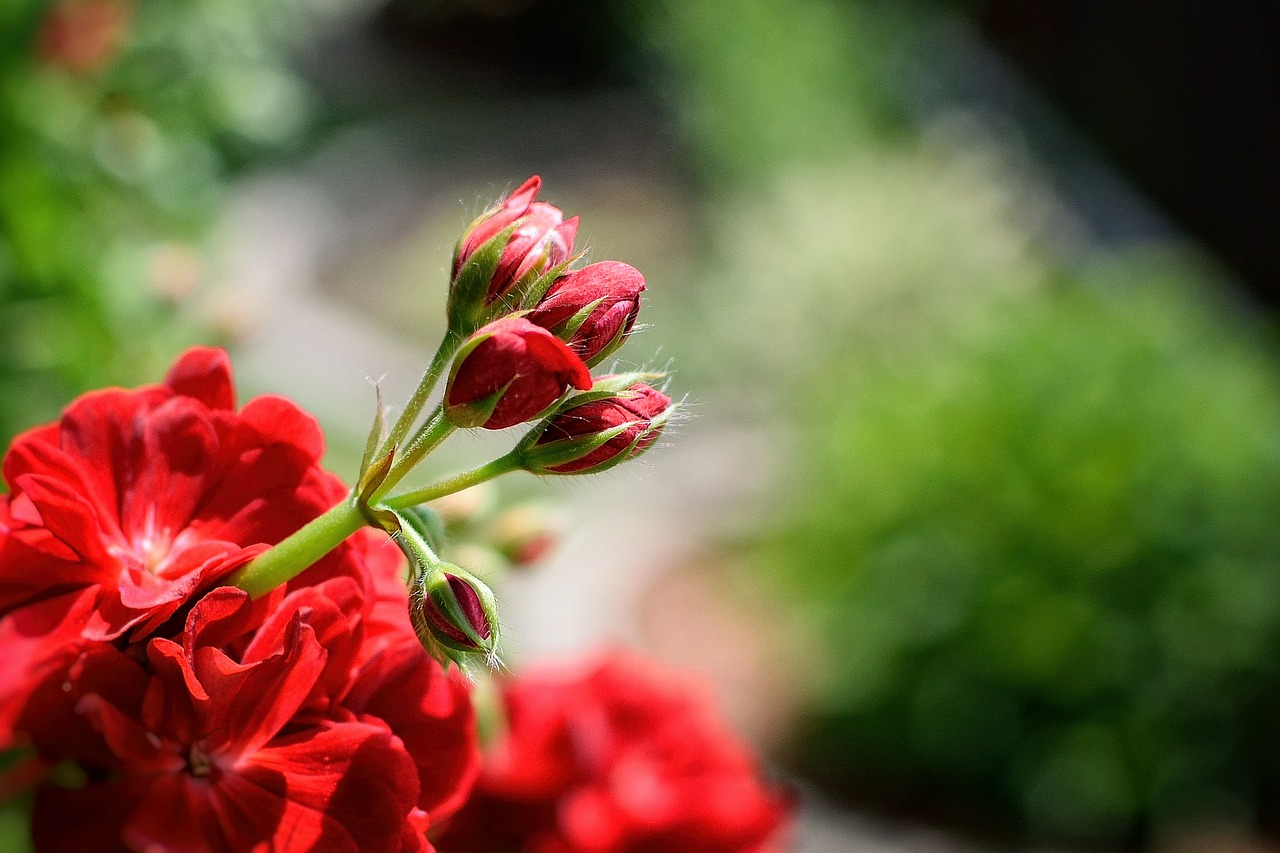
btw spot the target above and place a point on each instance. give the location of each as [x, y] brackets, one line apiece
[973, 528]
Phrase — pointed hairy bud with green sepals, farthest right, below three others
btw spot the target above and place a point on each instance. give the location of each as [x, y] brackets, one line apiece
[601, 434]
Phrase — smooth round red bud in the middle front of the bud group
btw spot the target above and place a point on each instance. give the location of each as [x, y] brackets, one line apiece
[511, 372]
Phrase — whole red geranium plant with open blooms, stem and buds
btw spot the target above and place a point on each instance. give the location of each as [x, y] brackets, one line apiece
[205, 644]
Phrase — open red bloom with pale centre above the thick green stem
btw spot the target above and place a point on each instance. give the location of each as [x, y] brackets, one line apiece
[157, 494]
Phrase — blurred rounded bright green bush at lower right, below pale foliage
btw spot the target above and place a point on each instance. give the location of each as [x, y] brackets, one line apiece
[1043, 571]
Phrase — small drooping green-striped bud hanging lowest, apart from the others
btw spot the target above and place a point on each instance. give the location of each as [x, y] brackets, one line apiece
[456, 610]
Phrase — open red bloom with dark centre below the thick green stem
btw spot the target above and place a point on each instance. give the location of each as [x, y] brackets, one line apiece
[303, 726]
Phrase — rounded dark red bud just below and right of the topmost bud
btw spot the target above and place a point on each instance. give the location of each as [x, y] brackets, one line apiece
[592, 309]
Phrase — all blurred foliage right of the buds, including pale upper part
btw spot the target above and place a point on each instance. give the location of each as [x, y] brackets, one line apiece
[1027, 495]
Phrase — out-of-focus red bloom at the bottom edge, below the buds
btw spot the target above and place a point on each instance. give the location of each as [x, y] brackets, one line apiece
[619, 758]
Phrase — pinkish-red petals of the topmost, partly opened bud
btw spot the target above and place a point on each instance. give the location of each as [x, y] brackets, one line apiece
[542, 239]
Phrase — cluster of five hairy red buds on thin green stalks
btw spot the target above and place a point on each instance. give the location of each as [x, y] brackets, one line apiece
[525, 330]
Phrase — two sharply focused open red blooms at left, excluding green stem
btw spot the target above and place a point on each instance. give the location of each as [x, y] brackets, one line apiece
[308, 719]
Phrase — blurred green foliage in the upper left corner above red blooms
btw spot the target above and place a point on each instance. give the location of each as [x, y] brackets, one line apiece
[121, 122]
